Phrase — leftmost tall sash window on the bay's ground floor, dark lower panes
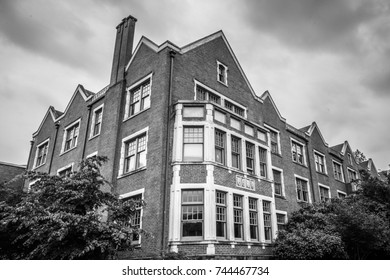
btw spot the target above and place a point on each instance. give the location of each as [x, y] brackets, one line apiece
[192, 213]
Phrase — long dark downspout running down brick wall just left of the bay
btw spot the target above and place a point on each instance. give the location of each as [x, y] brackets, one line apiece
[168, 135]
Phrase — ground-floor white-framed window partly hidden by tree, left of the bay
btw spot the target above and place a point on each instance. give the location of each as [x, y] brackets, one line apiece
[136, 220]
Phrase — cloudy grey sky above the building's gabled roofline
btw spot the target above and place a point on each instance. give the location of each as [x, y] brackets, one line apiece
[323, 61]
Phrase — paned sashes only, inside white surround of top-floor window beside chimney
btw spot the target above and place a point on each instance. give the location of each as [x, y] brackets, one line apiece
[139, 98]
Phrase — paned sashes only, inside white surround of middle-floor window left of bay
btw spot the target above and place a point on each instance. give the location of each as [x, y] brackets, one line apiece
[135, 153]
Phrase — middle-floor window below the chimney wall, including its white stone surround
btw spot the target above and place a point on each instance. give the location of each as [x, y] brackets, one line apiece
[133, 152]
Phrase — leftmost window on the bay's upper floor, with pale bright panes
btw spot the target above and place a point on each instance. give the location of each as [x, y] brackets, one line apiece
[193, 144]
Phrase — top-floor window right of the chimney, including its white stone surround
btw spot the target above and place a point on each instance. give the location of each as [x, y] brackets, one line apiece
[138, 97]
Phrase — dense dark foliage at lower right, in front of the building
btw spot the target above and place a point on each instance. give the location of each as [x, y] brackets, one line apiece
[357, 227]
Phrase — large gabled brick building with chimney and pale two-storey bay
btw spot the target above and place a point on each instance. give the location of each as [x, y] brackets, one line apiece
[217, 164]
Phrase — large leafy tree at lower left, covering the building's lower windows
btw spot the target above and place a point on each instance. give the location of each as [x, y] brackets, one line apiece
[61, 218]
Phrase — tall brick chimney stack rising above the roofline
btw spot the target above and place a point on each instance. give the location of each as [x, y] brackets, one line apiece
[123, 48]
